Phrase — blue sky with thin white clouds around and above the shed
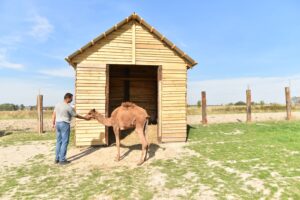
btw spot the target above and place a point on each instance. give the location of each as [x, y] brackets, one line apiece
[237, 44]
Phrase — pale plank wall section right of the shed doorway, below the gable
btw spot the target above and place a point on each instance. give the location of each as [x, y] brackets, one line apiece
[173, 102]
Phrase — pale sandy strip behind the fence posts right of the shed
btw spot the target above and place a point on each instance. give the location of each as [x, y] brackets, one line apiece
[241, 117]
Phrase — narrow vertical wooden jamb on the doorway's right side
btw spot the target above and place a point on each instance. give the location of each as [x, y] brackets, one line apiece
[159, 90]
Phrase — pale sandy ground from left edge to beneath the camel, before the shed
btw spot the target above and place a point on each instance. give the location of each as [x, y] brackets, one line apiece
[89, 157]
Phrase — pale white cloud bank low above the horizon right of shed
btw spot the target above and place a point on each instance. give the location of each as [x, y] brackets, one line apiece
[222, 91]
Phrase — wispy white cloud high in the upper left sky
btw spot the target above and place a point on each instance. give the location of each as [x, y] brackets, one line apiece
[41, 28]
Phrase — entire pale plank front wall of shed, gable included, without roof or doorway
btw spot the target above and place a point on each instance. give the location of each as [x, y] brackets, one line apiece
[118, 48]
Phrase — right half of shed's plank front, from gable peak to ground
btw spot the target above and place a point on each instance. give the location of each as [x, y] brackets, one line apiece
[150, 50]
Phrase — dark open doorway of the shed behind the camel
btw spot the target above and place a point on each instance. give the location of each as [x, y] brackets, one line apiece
[137, 84]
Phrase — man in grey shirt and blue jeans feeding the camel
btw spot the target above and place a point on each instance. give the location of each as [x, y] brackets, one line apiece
[61, 120]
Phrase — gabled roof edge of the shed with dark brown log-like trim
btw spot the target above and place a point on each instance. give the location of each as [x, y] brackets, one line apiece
[190, 62]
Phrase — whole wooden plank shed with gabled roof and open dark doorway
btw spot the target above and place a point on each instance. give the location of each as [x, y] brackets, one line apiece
[131, 61]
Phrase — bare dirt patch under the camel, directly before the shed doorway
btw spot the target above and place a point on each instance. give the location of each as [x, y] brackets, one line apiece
[103, 157]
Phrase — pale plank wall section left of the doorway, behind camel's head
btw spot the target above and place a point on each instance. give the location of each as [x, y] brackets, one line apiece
[90, 93]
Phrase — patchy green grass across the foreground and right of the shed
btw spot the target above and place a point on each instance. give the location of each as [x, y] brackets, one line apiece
[244, 161]
